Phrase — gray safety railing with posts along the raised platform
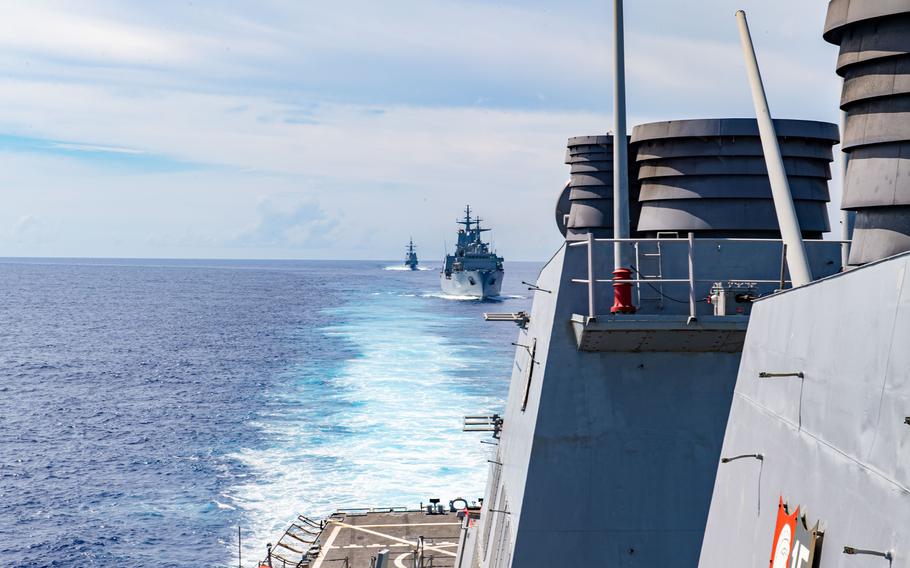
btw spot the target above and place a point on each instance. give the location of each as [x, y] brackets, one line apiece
[690, 280]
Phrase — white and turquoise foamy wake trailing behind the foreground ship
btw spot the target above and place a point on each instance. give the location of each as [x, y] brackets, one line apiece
[391, 431]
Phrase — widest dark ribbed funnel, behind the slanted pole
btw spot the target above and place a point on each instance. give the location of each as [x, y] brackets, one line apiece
[710, 176]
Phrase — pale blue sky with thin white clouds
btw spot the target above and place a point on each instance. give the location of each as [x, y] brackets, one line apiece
[338, 130]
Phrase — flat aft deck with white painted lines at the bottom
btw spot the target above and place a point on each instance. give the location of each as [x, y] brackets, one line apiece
[352, 540]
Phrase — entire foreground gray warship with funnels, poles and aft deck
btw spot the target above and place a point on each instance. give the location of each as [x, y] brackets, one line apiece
[703, 379]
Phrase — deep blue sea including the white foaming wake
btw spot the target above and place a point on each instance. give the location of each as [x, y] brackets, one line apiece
[149, 408]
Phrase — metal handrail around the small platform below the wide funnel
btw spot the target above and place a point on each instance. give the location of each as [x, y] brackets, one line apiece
[689, 241]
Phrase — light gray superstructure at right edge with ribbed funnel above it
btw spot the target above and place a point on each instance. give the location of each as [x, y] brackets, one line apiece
[816, 454]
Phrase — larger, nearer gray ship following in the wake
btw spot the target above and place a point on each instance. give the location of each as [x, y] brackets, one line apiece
[474, 270]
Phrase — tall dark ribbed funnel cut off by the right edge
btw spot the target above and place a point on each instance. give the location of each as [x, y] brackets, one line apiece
[874, 40]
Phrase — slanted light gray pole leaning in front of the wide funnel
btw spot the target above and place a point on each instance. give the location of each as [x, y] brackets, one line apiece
[797, 262]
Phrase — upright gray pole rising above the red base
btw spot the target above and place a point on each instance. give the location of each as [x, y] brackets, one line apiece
[620, 144]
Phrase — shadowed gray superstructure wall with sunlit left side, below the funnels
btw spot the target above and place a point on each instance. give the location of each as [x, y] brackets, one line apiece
[613, 448]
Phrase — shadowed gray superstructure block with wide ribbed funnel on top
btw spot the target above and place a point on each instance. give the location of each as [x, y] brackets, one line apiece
[616, 419]
